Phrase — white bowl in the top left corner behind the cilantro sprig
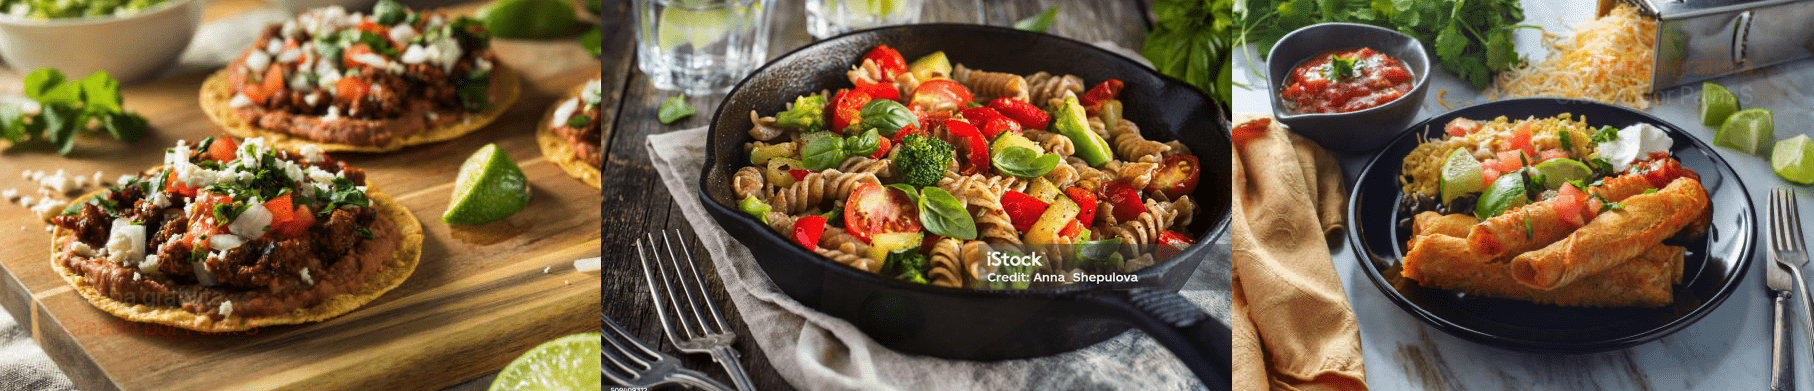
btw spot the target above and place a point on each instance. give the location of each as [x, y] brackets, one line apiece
[130, 48]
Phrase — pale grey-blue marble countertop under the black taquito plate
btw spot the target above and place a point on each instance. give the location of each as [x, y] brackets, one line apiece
[1726, 350]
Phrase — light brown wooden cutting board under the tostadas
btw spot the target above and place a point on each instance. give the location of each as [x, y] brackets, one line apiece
[482, 296]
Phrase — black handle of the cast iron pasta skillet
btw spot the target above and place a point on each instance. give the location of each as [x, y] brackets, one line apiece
[1193, 336]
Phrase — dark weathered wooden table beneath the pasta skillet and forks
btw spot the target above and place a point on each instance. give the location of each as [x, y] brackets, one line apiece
[641, 204]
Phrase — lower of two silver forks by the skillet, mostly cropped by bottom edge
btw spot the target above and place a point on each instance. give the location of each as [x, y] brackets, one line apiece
[636, 365]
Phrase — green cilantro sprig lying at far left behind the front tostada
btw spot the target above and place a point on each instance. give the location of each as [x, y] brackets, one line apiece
[68, 108]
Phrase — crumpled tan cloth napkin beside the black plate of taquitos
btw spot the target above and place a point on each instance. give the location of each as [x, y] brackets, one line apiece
[1292, 323]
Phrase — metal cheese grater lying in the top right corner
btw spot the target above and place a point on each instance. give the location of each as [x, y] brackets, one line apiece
[1710, 39]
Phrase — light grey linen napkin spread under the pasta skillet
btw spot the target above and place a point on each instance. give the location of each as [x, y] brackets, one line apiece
[814, 350]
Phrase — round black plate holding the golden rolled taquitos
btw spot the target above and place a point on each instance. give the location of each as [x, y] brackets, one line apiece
[1713, 267]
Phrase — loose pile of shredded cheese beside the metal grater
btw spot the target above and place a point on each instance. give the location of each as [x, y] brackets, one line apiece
[1606, 61]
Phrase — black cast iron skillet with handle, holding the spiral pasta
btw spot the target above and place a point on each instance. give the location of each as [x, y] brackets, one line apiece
[990, 325]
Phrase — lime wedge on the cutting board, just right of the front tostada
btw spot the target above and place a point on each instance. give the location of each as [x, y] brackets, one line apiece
[491, 187]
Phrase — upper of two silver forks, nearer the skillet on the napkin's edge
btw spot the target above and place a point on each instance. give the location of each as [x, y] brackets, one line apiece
[685, 312]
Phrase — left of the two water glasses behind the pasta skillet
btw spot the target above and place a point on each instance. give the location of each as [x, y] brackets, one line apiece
[701, 46]
